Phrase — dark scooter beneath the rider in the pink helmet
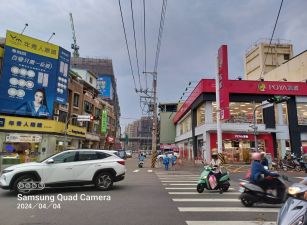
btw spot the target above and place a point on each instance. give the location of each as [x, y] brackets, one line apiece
[252, 193]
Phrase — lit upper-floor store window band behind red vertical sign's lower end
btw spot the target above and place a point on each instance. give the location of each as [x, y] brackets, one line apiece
[241, 112]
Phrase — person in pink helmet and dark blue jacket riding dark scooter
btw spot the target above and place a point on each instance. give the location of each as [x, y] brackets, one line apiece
[258, 170]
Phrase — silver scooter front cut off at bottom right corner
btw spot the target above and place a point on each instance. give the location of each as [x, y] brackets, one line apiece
[294, 211]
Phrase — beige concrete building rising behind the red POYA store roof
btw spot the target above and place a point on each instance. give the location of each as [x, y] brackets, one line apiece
[263, 57]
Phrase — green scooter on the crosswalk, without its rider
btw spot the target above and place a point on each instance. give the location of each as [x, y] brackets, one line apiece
[203, 182]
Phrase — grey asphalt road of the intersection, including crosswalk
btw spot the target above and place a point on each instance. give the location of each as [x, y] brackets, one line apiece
[145, 197]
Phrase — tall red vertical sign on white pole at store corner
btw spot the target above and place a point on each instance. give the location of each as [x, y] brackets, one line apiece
[223, 82]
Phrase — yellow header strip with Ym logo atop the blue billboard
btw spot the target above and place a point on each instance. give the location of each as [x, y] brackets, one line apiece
[32, 45]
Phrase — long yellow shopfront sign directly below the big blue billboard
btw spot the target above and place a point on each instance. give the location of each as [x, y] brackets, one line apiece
[39, 125]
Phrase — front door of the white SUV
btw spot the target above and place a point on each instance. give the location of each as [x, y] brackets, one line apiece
[62, 170]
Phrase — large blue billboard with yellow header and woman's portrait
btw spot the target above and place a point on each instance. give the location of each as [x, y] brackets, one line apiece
[34, 76]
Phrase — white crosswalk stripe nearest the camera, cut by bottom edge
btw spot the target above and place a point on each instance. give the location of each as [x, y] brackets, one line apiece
[229, 223]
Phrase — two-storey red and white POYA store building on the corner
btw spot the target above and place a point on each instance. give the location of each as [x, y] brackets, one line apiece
[280, 127]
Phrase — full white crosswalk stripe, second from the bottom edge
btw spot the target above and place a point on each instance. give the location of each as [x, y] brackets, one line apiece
[227, 209]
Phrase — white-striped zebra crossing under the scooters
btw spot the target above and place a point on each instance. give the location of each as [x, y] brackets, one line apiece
[211, 207]
